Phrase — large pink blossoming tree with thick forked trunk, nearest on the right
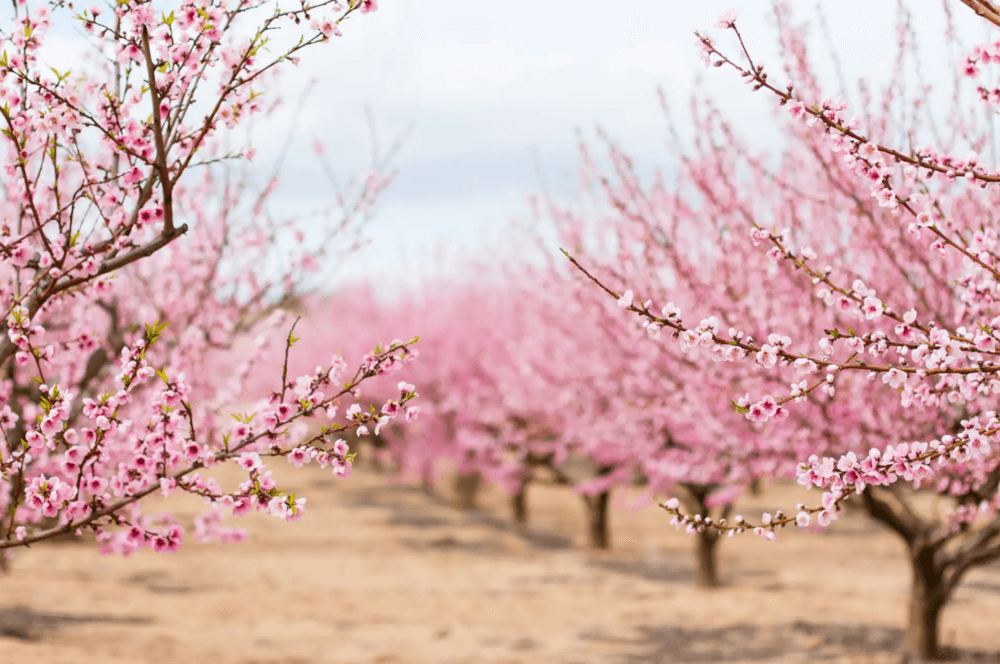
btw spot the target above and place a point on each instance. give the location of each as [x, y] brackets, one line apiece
[882, 257]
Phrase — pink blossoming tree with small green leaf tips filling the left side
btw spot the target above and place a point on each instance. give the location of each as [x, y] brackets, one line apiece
[106, 169]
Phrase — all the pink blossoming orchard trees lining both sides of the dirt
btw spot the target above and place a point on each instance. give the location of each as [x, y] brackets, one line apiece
[821, 310]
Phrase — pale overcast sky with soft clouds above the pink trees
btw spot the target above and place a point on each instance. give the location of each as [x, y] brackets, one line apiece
[495, 92]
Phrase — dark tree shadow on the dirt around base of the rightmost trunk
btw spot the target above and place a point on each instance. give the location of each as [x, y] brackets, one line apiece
[668, 644]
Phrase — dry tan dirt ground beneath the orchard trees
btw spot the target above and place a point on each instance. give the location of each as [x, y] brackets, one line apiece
[380, 573]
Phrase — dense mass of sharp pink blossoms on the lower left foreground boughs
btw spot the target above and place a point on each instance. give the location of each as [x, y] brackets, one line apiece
[86, 478]
